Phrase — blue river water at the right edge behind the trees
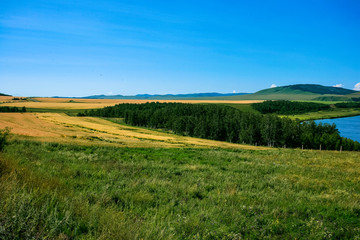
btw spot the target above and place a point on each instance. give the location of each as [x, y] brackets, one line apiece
[349, 127]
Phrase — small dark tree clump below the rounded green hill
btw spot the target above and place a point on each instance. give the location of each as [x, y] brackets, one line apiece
[288, 107]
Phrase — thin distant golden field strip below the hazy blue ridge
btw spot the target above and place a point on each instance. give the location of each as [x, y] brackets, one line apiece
[74, 103]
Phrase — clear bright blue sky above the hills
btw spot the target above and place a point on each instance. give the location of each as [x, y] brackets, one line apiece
[80, 48]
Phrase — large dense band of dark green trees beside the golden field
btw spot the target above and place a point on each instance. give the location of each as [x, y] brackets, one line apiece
[229, 124]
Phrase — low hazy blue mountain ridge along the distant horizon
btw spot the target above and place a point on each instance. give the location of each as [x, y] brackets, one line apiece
[164, 97]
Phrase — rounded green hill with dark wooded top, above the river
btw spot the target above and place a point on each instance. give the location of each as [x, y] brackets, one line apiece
[299, 92]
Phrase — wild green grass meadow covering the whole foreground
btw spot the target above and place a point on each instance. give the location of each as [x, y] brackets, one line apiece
[59, 191]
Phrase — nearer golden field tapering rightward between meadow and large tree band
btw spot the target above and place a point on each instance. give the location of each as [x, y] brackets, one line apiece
[59, 127]
